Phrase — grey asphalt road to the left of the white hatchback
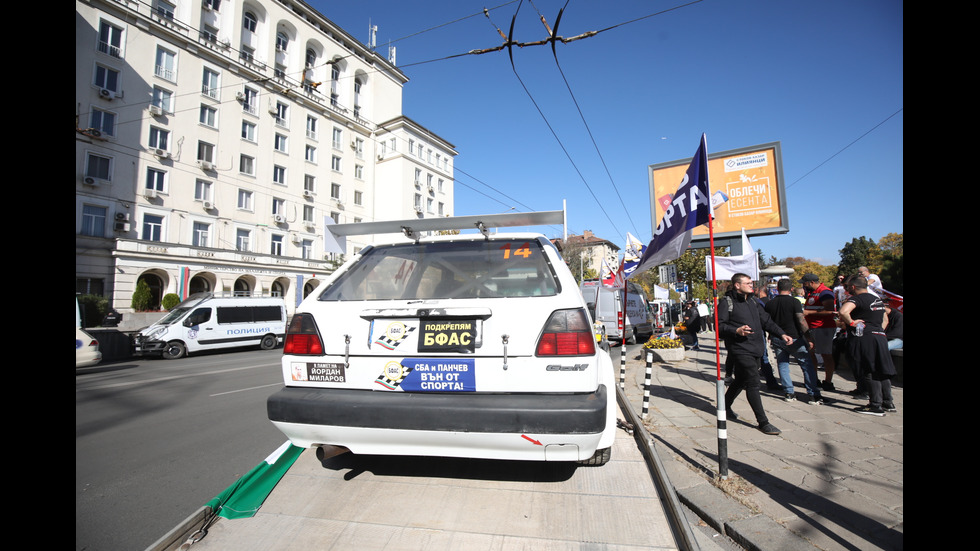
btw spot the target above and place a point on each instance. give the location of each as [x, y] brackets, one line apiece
[156, 439]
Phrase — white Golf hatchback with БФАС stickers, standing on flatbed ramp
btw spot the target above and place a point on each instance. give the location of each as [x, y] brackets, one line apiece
[460, 346]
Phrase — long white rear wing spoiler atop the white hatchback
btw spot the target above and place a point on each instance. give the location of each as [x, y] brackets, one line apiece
[413, 228]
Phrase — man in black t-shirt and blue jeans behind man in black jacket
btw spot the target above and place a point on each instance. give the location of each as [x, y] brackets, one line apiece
[787, 313]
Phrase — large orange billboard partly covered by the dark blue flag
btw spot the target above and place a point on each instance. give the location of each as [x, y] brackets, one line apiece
[747, 191]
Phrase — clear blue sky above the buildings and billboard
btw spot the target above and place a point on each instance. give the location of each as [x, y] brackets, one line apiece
[823, 78]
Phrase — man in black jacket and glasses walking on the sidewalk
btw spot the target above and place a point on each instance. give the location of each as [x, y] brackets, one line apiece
[741, 323]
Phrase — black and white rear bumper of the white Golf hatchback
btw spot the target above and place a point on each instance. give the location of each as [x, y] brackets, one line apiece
[539, 427]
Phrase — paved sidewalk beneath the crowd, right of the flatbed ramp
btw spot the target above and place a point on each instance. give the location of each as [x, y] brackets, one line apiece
[833, 479]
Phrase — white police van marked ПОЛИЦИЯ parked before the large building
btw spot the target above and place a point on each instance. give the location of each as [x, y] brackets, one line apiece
[207, 322]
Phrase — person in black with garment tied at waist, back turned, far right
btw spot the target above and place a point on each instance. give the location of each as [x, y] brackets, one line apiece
[863, 316]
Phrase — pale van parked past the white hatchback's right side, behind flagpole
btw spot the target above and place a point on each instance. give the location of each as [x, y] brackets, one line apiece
[605, 306]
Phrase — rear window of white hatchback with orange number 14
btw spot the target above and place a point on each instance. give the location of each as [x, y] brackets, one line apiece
[447, 270]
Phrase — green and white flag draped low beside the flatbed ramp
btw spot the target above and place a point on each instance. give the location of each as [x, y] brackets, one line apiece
[243, 498]
